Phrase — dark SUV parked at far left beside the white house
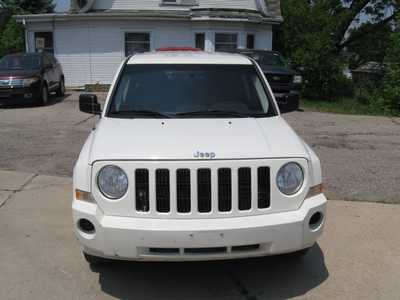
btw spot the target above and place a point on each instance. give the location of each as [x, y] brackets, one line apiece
[29, 78]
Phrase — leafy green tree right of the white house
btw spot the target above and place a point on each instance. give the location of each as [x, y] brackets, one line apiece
[315, 33]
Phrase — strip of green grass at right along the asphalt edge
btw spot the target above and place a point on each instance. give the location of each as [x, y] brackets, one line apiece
[340, 106]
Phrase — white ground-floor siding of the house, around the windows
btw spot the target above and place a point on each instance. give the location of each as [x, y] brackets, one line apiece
[91, 52]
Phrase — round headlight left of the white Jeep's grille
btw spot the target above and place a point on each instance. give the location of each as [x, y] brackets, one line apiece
[112, 182]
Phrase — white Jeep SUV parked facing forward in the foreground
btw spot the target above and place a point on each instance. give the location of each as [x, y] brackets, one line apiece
[191, 160]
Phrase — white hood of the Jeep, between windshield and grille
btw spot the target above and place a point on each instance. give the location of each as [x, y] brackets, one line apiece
[184, 139]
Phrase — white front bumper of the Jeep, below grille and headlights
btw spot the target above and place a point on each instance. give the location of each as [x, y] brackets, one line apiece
[147, 239]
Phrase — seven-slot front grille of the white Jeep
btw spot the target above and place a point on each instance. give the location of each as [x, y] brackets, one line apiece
[184, 183]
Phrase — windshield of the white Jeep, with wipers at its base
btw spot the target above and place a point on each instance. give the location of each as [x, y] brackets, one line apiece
[178, 91]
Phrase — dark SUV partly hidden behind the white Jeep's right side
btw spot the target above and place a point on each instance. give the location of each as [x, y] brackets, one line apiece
[284, 82]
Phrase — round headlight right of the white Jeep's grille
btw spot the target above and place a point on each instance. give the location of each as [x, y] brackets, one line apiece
[290, 178]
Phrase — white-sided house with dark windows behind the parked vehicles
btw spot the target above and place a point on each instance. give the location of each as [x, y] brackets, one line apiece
[96, 35]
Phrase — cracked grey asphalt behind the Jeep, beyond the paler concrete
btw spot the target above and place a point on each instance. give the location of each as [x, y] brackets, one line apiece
[360, 155]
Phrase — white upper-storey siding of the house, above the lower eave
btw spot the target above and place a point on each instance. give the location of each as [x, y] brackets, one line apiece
[155, 4]
